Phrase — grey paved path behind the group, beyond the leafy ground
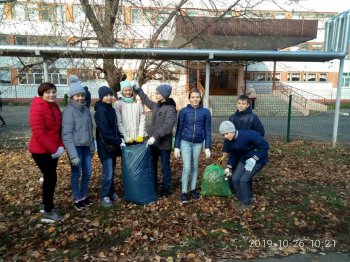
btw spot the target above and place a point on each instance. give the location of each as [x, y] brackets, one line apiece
[317, 127]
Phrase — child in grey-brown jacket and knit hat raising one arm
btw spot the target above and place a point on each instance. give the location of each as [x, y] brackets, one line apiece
[163, 121]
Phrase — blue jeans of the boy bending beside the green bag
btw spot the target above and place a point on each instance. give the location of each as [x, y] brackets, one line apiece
[242, 179]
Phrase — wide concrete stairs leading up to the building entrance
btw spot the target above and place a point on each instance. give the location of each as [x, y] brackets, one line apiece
[265, 105]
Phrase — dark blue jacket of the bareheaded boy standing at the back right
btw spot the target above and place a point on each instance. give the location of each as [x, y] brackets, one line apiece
[247, 120]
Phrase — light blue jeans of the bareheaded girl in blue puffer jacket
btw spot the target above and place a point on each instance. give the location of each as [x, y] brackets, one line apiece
[190, 158]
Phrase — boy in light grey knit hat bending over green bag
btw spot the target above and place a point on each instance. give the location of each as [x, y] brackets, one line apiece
[248, 153]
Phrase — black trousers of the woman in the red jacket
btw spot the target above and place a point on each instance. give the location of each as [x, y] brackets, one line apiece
[47, 166]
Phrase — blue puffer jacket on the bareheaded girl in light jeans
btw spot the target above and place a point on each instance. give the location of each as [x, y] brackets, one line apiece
[193, 125]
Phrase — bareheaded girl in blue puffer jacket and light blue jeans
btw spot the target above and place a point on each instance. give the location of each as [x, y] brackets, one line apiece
[193, 127]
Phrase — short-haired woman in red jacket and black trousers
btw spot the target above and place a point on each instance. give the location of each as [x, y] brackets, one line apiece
[46, 145]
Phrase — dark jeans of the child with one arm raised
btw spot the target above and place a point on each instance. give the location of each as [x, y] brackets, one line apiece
[166, 170]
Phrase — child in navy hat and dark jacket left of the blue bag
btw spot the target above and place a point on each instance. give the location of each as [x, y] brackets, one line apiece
[107, 134]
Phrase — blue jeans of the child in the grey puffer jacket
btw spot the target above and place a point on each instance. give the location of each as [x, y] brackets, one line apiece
[83, 170]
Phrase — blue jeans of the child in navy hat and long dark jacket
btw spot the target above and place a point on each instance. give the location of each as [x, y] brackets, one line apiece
[108, 174]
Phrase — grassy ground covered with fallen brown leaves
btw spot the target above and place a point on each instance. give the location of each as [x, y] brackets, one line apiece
[302, 205]
